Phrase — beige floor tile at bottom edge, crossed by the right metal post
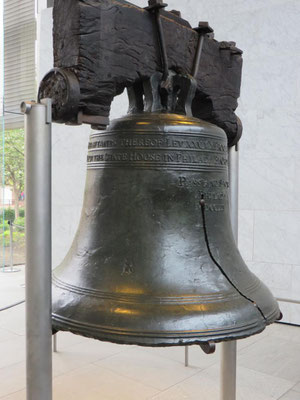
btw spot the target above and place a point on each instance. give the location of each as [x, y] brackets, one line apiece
[201, 387]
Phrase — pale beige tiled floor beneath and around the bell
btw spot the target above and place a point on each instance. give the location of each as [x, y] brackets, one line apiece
[85, 369]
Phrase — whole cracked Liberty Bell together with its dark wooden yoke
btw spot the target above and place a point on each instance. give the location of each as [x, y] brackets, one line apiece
[154, 261]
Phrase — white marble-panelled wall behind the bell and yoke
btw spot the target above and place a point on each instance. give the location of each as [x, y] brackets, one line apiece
[268, 32]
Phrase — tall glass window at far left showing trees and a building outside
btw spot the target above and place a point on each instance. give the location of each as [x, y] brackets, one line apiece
[17, 83]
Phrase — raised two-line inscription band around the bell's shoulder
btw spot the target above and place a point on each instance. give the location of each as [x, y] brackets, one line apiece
[168, 151]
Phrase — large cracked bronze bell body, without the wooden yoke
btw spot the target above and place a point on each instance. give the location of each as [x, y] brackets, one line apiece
[154, 261]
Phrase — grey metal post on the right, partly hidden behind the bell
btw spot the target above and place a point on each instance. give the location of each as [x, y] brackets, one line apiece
[229, 349]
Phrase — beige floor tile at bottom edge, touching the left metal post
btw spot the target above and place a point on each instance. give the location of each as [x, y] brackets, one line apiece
[94, 383]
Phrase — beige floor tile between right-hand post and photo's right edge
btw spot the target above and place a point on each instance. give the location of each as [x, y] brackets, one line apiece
[273, 356]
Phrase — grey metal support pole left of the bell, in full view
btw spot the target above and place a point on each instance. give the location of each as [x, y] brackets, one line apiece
[38, 250]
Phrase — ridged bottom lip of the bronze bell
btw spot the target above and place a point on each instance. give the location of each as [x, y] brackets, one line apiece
[162, 339]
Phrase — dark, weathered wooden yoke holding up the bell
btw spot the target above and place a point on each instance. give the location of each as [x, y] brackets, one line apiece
[103, 46]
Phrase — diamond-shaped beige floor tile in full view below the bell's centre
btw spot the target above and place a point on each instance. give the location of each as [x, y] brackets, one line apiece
[149, 369]
